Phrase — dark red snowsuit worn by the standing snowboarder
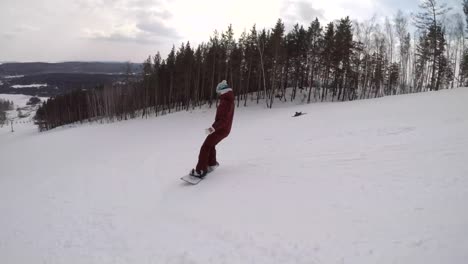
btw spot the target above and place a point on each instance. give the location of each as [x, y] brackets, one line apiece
[222, 126]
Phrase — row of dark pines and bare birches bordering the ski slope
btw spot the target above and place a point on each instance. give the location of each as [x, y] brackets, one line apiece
[342, 60]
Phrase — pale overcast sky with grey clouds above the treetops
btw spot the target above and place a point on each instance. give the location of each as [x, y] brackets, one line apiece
[130, 30]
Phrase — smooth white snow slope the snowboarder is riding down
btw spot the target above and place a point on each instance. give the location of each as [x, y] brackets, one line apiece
[372, 181]
